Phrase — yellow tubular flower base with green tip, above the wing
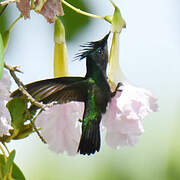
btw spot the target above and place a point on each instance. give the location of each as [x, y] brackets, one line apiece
[60, 50]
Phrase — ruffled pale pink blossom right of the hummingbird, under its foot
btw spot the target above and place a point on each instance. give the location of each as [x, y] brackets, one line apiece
[123, 118]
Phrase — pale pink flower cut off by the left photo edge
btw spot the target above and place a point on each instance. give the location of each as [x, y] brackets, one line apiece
[5, 119]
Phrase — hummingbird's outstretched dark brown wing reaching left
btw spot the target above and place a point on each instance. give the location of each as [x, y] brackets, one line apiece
[62, 90]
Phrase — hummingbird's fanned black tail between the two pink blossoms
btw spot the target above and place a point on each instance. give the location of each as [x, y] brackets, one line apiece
[90, 138]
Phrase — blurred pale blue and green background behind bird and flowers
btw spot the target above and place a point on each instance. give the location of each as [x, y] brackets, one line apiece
[149, 57]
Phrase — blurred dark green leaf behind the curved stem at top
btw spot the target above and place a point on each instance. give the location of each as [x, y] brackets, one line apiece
[73, 21]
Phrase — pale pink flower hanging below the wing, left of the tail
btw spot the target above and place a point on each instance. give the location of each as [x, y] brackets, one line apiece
[60, 128]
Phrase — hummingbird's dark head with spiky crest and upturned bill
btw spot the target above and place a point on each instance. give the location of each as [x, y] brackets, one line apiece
[96, 52]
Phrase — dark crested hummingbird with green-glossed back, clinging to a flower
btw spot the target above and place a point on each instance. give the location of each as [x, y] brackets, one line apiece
[93, 90]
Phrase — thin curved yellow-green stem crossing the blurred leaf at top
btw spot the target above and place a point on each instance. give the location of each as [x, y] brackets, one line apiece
[80, 11]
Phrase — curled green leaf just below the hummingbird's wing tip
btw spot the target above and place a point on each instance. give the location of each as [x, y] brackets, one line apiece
[18, 111]
